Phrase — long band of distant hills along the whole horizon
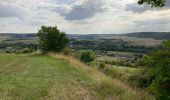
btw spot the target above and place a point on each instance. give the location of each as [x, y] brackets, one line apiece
[154, 35]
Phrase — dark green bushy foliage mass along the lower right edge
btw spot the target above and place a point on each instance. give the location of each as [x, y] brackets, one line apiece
[158, 67]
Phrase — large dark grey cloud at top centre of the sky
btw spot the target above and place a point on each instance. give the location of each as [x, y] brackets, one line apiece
[81, 10]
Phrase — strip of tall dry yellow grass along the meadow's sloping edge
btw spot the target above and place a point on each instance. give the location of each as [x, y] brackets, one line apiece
[112, 89]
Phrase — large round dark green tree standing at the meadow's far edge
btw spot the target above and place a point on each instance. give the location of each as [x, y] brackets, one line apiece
[52, 39]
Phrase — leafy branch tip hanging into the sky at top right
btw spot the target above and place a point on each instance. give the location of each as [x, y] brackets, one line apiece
[153, 3]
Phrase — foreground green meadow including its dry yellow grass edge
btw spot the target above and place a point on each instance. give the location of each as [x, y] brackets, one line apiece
[57, 77]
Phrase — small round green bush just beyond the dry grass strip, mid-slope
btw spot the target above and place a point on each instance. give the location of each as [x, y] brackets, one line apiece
[87, 56]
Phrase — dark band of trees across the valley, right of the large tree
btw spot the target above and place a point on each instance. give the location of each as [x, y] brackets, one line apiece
[110, 45]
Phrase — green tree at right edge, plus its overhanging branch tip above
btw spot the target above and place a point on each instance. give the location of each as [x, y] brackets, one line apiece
[159, 63]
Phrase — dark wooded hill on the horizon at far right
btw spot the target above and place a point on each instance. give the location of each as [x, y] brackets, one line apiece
[155, 35]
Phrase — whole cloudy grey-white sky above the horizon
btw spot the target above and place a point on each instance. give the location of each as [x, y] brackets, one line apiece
[83, 16]
